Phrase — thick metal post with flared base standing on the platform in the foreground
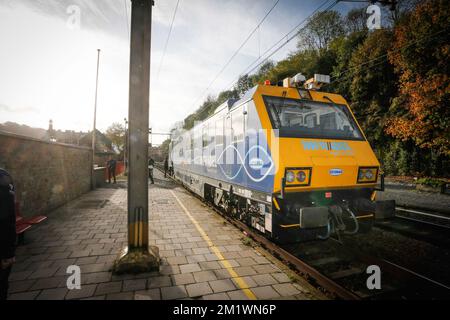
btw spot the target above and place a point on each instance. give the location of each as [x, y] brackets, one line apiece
[138, 256]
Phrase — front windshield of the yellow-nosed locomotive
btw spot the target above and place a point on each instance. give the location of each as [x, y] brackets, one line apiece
[308, 119]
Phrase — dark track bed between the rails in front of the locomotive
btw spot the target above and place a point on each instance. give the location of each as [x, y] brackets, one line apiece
[347, 266]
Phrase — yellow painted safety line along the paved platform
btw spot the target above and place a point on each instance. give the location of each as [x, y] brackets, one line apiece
[241, 282]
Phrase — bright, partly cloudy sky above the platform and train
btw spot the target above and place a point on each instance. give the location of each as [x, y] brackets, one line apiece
[48, 56]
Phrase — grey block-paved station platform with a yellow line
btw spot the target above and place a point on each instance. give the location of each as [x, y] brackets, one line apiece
[202, 255]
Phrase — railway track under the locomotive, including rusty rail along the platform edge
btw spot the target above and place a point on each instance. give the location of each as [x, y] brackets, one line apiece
[340, 270]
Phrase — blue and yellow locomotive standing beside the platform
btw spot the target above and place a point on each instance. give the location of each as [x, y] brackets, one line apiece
[290, 161]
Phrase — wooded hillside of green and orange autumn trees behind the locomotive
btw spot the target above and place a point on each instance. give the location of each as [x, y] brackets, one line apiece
[395, 79]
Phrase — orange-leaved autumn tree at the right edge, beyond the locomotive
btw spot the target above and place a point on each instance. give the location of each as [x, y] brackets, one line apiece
[420, 53]
